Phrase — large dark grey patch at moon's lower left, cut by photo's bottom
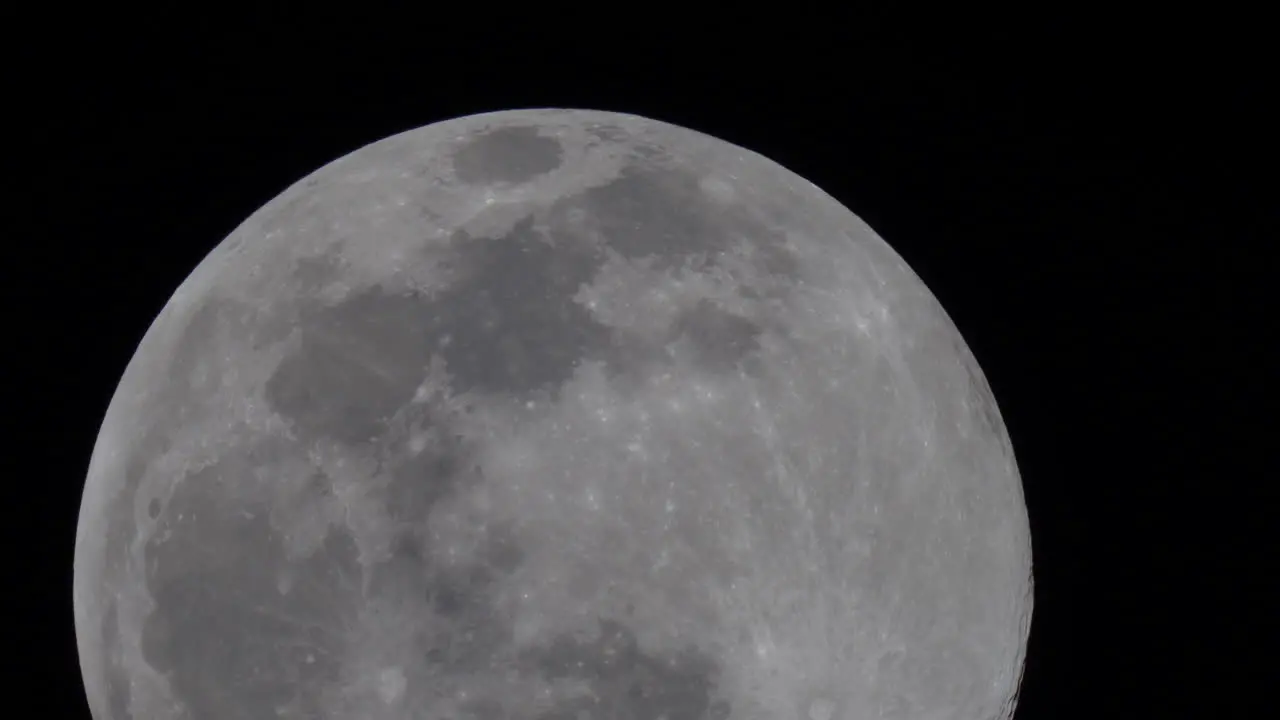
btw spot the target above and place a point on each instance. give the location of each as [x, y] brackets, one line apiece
[230, 642]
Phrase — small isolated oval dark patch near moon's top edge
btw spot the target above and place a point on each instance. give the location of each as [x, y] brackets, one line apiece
[510, 154]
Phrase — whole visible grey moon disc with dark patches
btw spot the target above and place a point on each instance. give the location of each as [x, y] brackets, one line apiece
[552, 416]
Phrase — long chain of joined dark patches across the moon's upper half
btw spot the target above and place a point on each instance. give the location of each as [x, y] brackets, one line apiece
[510, 326]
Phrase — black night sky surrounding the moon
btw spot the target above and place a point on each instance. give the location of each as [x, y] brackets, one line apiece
[1087, 208]
